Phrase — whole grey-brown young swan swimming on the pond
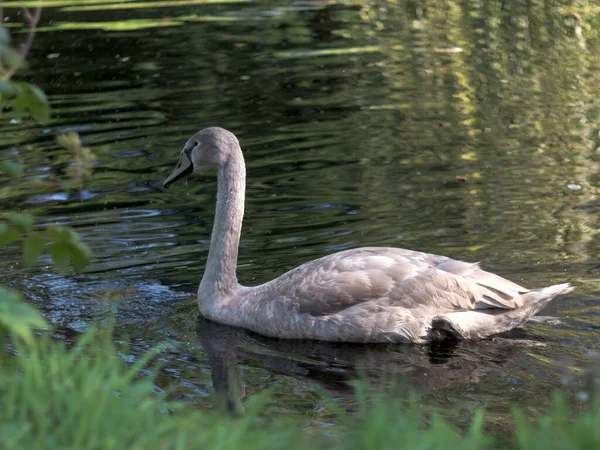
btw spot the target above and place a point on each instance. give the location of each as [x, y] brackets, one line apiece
[363, 295]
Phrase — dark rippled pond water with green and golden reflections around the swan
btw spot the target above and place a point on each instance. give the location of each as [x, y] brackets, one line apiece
[358, 120]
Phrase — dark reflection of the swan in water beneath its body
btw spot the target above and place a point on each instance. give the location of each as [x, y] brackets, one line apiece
[331, 366]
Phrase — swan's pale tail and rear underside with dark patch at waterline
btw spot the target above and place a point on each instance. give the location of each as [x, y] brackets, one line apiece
[485, 322]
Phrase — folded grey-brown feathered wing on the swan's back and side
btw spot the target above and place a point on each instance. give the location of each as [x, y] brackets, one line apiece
[425, 283]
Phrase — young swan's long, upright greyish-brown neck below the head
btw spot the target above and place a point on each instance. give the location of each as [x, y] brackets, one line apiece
[219, 280]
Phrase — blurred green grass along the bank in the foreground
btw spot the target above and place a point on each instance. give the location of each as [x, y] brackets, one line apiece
[86, 397]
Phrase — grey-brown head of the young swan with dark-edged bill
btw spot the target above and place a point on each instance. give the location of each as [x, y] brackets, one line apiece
[208, 149]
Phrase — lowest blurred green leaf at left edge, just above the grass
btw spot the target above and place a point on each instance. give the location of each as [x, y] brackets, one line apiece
[19, 318]
